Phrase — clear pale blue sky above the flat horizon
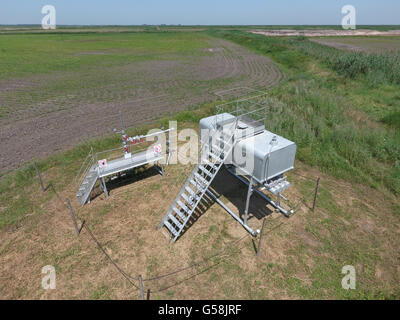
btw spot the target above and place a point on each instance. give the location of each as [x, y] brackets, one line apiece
[199, 12]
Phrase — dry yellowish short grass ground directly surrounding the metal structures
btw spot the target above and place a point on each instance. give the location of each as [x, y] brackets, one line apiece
[301, 257]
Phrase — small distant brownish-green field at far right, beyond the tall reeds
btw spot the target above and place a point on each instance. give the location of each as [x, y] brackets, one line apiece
[369, 44]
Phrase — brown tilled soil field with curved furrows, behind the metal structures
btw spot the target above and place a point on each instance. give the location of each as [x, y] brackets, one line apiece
[44, 113]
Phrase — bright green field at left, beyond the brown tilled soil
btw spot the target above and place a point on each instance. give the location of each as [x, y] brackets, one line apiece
[28, 54]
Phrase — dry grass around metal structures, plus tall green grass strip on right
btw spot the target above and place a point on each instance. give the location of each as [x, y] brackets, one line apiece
[337, 124]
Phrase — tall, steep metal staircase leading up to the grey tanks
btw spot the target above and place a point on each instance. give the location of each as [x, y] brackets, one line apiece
[212, 159]
